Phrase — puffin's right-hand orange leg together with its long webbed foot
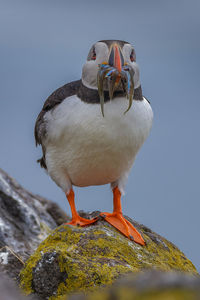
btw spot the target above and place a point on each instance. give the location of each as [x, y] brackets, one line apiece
[118, 221]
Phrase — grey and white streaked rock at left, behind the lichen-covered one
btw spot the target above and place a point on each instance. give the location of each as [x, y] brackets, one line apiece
[25, 221]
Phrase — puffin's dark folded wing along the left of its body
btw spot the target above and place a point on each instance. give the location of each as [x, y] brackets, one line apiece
[53, 100]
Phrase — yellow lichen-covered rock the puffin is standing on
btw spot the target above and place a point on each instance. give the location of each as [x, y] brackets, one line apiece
[82, 259]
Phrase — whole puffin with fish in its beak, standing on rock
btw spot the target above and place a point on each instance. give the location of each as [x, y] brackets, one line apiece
[91, 130]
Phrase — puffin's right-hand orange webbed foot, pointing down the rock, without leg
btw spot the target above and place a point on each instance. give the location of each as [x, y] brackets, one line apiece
[124, 226]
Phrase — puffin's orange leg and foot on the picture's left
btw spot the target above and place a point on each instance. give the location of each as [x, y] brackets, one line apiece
[76, 219]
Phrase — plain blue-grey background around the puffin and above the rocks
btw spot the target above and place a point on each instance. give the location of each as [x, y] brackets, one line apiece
[44, 44]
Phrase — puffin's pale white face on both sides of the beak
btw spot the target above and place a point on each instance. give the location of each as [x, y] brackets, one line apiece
[98, 54]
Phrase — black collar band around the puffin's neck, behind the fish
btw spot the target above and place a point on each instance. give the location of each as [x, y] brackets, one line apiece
[92, 96]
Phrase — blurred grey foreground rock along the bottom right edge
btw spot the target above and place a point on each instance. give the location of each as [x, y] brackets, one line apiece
[149, 285]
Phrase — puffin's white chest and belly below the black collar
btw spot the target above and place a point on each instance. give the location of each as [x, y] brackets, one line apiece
[90, 148]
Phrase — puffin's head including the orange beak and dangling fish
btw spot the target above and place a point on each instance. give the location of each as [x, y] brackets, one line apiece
[111, 66]
